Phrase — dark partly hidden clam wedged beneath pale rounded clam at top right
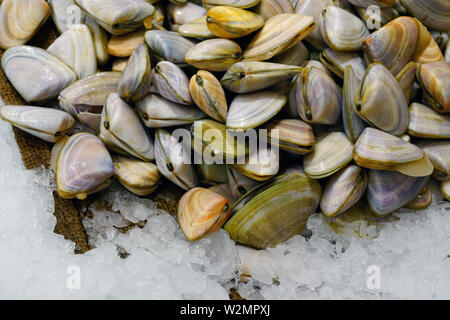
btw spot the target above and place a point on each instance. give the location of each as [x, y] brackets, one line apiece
[337, 61]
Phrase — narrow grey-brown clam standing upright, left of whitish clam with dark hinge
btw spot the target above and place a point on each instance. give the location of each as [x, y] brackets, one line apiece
[136, 78]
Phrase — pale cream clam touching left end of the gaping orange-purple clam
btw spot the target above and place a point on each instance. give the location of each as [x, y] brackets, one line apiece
[332, 152]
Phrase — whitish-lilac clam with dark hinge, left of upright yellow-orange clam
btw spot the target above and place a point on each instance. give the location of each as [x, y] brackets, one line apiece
[171, 82]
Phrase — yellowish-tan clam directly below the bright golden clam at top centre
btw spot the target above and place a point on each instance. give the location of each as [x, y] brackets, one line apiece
[214, 54]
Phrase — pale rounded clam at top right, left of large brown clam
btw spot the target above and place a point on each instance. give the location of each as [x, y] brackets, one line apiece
[343, 31]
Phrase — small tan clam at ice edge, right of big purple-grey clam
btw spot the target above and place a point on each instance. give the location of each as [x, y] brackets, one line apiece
[140, 177]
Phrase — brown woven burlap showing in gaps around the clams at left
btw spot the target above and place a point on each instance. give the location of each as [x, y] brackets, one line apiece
[36, 153]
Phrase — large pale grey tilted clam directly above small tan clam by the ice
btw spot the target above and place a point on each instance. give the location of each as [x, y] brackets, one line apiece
[122, 131]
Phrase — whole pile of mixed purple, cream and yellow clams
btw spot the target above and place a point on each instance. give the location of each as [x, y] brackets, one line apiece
[358, 108]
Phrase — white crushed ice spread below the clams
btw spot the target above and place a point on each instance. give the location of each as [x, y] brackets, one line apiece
[153, 260]
